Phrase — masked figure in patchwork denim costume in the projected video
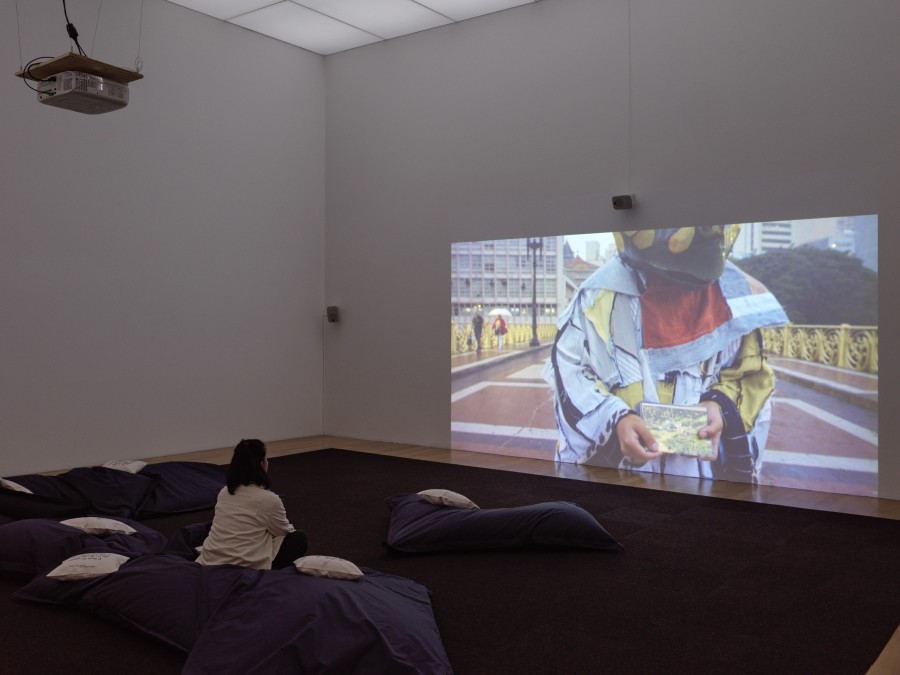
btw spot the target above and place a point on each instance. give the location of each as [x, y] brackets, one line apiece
[669, 320]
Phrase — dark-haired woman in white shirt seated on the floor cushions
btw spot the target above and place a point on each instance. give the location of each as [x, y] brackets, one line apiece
[250, 527]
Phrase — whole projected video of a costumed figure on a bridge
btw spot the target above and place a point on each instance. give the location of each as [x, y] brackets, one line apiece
[764, 333]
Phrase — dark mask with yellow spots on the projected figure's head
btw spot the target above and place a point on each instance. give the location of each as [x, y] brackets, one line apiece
[692, 257]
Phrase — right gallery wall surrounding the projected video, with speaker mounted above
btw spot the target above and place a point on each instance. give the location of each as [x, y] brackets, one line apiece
[518, 124]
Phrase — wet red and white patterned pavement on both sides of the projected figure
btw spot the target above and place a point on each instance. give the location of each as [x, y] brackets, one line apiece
[823, 434]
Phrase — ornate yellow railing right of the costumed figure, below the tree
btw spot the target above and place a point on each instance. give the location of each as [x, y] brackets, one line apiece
[843, 346]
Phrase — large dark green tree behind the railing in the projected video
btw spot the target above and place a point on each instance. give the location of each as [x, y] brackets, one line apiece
[818, 286]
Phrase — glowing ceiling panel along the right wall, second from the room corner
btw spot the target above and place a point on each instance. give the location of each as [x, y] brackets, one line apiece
[385, 18]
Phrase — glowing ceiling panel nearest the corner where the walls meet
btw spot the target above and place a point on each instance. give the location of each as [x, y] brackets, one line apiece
[305, 28]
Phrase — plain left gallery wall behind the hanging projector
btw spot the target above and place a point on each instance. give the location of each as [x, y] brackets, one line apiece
[161, 266]
